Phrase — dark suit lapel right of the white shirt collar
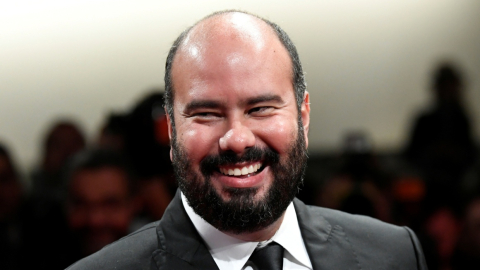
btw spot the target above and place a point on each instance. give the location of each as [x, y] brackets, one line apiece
[327, 246]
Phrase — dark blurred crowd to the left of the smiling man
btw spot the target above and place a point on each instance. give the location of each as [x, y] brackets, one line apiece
[83, 195]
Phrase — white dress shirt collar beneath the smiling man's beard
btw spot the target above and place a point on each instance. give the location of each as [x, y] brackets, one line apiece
[231, 253]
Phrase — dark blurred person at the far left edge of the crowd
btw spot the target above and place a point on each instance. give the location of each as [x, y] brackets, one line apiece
[30, 237]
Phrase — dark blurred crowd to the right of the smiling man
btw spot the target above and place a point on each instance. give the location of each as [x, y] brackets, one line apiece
[431, 186]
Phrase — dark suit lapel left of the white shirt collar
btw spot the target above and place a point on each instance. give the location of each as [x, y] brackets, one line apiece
[180, 245]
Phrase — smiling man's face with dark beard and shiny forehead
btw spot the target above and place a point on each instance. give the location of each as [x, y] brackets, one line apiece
[238, 149]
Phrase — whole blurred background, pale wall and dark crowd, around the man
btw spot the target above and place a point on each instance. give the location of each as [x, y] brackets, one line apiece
[84, 149]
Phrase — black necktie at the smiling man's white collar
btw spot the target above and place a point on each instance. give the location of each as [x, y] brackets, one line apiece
[268, 258]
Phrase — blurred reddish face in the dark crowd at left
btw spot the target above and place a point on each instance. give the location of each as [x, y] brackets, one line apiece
[100, 209]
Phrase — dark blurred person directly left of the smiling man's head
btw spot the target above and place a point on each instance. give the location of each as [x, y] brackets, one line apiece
[142, 136]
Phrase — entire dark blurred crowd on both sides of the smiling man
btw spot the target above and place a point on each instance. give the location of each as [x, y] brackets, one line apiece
[85, 195]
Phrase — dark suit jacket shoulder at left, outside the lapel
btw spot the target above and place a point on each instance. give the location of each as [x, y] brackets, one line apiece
[133, 251]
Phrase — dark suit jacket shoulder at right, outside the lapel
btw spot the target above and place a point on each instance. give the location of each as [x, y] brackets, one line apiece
[371, 240]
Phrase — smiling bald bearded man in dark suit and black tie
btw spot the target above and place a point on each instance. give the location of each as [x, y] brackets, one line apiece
[238, 117]
